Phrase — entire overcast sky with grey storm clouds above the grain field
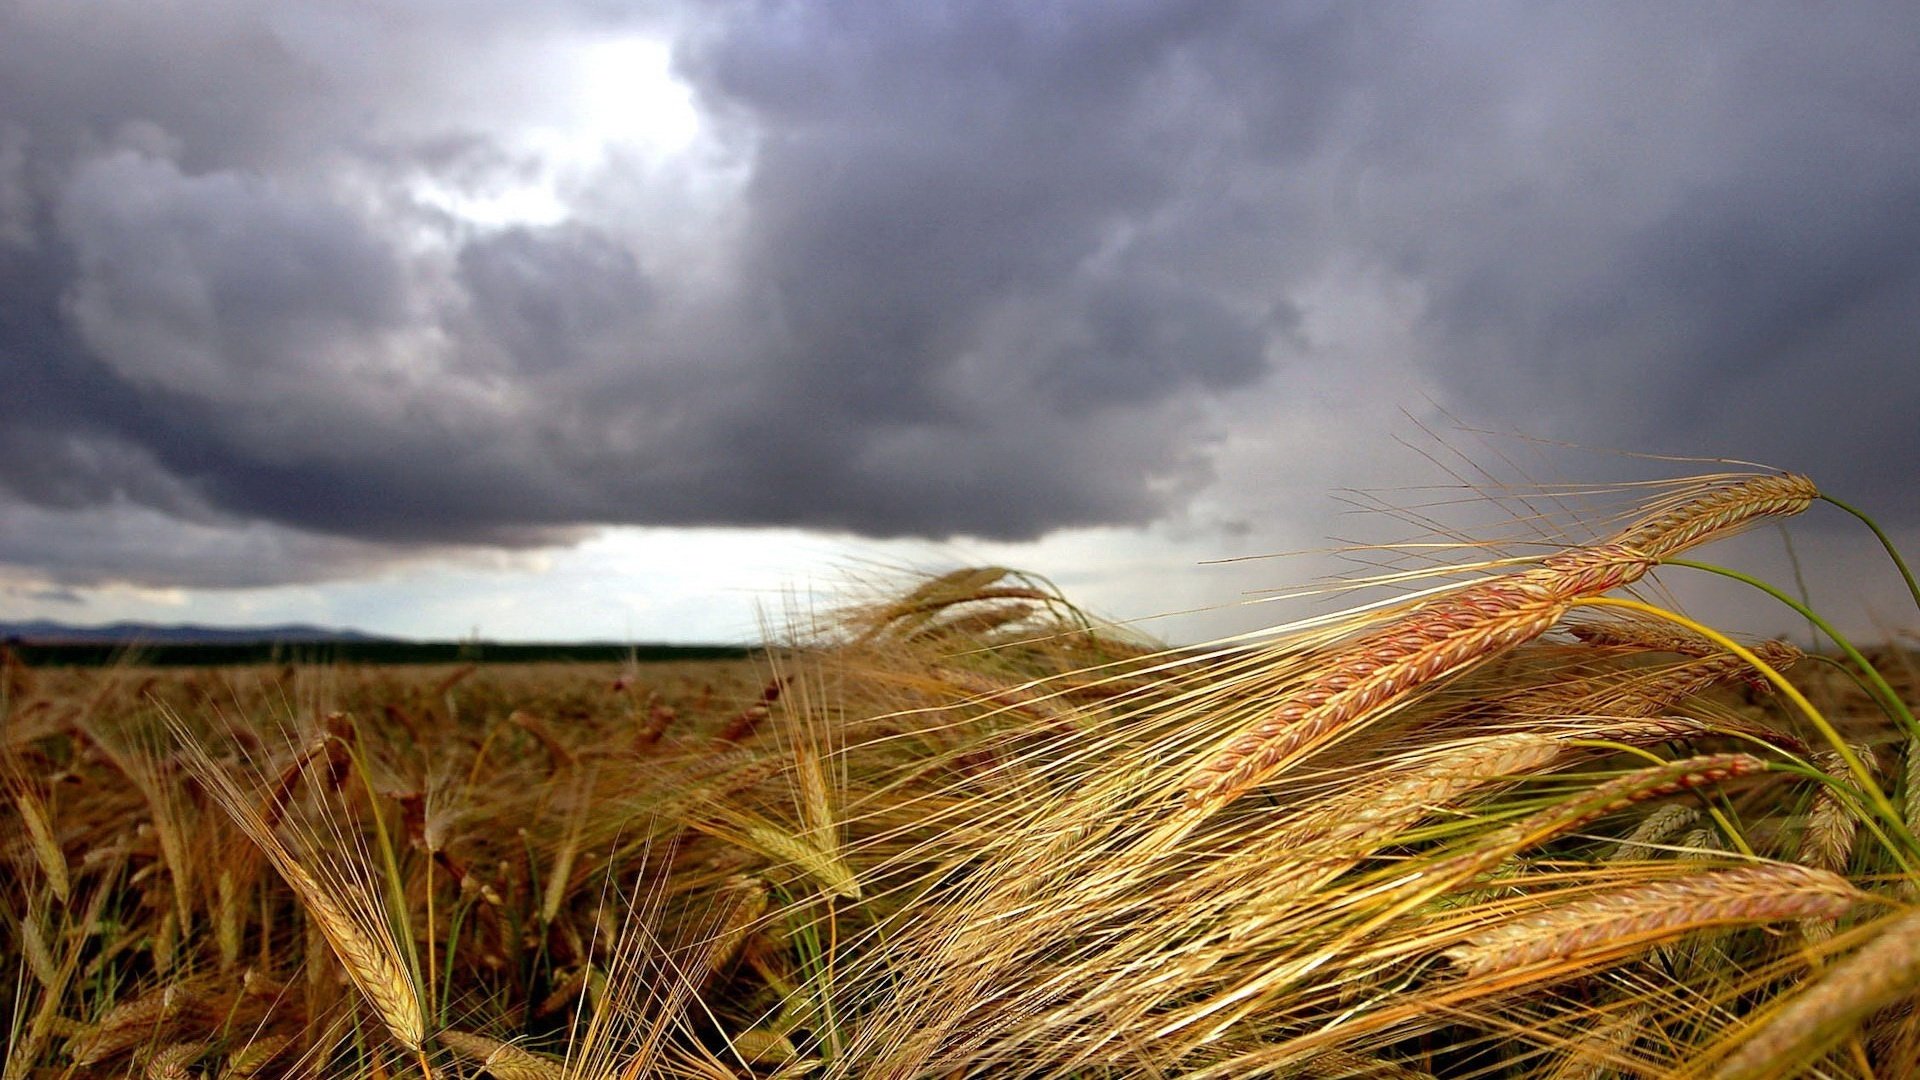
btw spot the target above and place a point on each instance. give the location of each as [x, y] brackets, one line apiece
[585, 320]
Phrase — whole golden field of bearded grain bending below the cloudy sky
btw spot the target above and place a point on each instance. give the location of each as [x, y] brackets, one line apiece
[1512, 822]
